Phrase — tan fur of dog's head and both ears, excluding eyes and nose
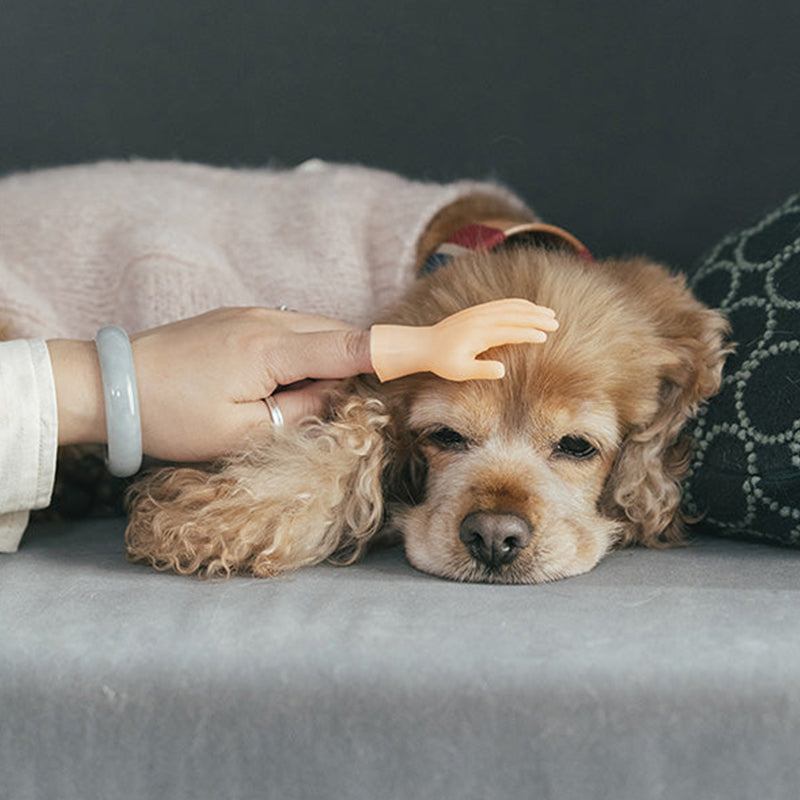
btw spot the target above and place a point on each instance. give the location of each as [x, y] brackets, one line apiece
[634, 356]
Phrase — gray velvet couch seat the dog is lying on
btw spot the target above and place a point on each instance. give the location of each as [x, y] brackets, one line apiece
[660, 674]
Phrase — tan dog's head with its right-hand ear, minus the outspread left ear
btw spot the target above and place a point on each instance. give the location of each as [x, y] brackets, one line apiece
[534, 477]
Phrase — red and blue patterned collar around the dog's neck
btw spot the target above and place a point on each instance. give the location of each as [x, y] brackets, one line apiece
[490, 234]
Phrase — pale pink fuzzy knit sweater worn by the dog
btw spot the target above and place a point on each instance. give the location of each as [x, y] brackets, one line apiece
[141, 243]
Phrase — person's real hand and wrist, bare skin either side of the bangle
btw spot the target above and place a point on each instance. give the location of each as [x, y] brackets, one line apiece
[202, 381]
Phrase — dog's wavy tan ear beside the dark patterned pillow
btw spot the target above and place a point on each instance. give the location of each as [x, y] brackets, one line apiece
[643, 489]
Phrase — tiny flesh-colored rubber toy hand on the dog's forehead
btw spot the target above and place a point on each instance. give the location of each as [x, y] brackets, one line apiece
[449, 348]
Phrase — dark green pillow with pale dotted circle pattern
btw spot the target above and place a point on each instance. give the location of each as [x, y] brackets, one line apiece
[746, 474]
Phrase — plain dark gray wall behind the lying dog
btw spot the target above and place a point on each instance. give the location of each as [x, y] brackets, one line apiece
[641, 125]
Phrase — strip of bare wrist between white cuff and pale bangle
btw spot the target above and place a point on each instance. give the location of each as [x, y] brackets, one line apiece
[79, 391]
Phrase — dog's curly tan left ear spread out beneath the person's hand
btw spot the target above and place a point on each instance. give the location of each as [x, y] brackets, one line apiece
[291, 501]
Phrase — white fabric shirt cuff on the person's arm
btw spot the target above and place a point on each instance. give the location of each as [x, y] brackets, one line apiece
[28, 435]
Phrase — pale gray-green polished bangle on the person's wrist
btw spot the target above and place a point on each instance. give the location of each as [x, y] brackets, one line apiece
[123, 423]
